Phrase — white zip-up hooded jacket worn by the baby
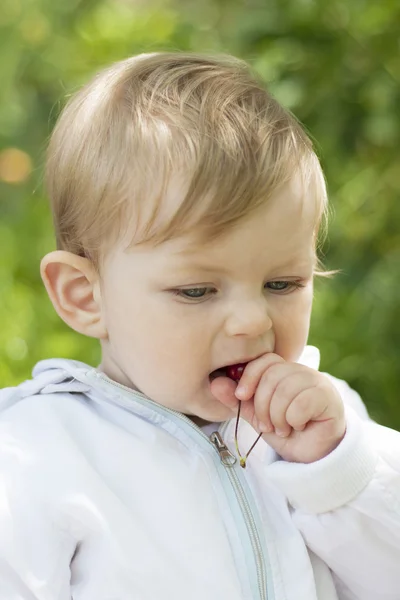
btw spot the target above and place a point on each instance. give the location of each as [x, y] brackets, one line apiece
[106, 495]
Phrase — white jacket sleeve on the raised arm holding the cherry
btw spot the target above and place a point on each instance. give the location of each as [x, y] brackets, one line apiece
[347, 505]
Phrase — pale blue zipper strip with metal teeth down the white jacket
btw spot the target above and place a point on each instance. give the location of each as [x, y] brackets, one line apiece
[228, 460]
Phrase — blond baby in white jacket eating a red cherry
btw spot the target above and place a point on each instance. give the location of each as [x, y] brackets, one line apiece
[187, 205]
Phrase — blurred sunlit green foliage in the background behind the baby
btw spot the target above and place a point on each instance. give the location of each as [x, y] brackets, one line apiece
[335, 64]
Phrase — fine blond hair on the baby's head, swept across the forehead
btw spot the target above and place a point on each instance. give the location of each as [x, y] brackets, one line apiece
[125, 135]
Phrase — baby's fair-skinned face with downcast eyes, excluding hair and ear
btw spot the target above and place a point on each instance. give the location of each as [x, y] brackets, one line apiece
[176, 313]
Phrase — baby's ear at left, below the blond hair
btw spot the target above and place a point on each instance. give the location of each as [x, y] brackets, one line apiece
[73, 287]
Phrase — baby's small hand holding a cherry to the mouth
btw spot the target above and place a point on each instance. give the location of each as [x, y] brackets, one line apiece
[298, 410]
